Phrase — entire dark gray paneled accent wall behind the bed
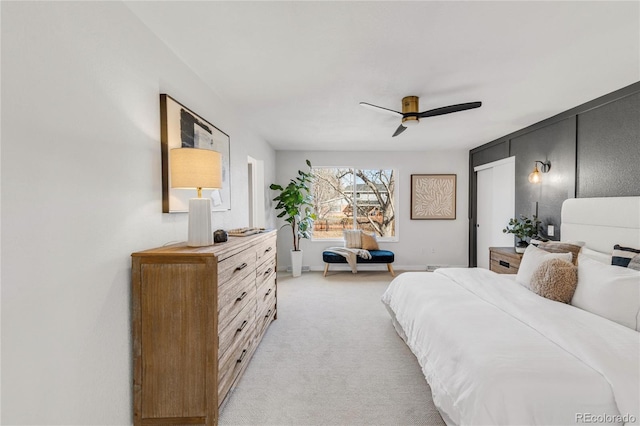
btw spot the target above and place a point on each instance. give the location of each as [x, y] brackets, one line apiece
[594, 151]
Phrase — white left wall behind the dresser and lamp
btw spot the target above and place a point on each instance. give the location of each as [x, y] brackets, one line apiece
[81, 191]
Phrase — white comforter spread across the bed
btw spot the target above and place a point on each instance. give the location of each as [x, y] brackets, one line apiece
[494, 352]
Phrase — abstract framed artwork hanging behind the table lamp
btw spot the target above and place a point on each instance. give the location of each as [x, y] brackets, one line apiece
[182, 128]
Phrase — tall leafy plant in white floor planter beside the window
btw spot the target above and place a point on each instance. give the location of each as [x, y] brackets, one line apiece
[295, 201]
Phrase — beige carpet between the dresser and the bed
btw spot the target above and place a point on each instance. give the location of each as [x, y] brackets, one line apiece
[332, 358]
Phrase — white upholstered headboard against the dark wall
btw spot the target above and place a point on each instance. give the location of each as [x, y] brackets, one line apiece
[602, 222]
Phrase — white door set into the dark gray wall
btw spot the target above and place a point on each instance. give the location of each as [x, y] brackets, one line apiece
[496, 205]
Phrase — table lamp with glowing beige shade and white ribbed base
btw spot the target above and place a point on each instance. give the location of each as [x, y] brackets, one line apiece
[197, 168]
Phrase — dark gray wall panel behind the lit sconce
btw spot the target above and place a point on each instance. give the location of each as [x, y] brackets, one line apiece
[555, 143]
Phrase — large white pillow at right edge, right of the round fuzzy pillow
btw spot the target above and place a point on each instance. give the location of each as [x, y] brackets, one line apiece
[609, 291]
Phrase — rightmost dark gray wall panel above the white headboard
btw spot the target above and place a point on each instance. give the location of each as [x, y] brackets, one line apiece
[608, 151]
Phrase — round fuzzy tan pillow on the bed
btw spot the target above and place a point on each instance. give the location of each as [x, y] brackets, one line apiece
[555, 279]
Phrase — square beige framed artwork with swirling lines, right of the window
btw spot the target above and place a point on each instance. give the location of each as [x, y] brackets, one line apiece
[433, 197]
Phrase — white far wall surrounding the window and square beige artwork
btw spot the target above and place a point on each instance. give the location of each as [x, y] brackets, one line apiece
[421, 242]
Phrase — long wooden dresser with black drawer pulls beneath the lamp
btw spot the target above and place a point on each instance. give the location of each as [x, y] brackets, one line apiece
[199, 314]
